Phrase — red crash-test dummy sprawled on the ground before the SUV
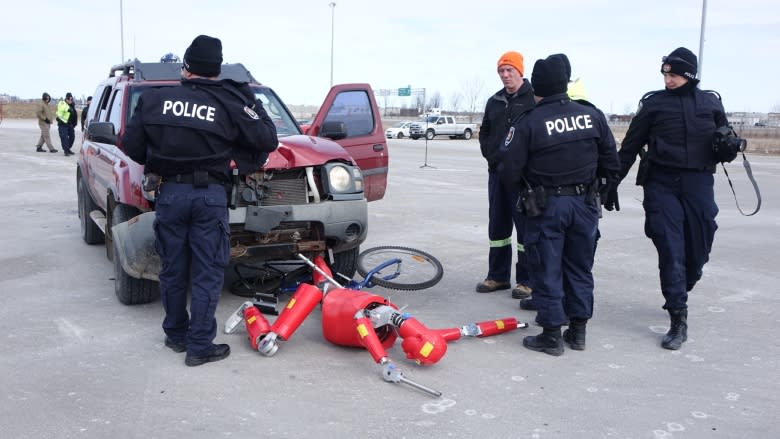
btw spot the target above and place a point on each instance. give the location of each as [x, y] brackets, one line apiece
[359, 319]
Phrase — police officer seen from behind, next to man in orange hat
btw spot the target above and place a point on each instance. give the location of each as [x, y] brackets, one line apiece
[555, 154]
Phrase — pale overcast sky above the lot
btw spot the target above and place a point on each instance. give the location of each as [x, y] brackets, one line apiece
[614, 46]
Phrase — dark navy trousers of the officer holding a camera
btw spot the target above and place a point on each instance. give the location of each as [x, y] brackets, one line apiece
[680, 213]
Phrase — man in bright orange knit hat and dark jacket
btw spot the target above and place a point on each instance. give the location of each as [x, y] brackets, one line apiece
[507, 105]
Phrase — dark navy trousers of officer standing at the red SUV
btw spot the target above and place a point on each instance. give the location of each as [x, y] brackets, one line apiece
[192, 231]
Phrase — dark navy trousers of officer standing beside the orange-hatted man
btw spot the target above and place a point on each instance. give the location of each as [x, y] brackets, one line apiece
[559, 247]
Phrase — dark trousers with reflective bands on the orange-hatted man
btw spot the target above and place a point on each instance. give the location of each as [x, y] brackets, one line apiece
[502, 217]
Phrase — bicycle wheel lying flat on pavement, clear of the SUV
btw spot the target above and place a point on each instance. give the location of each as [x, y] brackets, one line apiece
[414, 270]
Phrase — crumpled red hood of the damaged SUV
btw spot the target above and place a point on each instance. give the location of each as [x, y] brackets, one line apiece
[301, 150]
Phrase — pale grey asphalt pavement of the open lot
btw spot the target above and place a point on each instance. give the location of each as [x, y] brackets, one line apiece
[76, 363]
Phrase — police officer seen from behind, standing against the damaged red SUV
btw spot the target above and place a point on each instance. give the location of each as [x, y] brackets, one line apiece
[188, 135]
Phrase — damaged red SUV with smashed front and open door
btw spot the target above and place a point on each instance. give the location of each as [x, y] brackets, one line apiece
[310, 197]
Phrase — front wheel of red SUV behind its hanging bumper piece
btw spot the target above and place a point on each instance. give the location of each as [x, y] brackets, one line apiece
[129, 290]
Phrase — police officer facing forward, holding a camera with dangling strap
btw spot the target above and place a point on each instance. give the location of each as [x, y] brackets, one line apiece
[677, 124]
